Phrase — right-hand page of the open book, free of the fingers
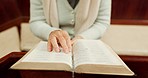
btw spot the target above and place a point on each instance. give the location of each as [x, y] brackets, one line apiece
[93, 52]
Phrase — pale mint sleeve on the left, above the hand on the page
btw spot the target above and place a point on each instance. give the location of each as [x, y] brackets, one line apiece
[38, 24]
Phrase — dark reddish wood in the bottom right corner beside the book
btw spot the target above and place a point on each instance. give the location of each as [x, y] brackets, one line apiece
[138, 64]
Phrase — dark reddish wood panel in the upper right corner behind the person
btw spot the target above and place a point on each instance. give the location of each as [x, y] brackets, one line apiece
[130, 9]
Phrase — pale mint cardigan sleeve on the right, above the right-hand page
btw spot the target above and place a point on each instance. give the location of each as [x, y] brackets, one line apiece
[101, 23]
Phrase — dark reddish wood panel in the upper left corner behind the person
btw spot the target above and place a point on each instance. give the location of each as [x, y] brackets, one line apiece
[13, 12]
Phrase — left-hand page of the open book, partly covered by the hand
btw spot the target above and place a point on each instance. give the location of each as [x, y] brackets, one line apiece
[40, 54]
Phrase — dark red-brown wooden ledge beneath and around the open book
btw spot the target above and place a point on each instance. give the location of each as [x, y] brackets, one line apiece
[138, 64]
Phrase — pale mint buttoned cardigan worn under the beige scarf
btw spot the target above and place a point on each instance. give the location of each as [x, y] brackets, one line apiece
[67, 17]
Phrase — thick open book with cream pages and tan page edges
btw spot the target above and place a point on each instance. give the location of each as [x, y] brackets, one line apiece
[87, 56]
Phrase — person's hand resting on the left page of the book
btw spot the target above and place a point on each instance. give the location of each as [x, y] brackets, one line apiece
[57, 39]
